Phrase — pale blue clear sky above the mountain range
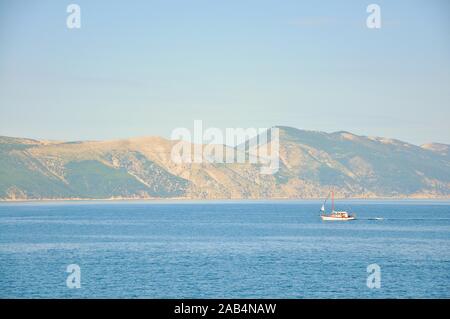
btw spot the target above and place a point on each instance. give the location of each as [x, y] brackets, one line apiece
[138, 68]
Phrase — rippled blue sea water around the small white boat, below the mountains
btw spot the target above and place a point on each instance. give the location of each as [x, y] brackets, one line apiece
[274, 249]
